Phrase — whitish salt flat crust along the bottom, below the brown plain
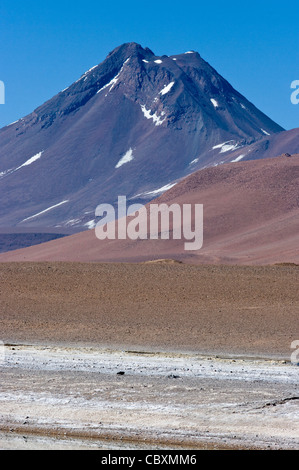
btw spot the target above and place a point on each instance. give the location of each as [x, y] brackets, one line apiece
[161, 399]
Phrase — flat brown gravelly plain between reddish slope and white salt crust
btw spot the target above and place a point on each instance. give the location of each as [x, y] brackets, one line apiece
[240, 310]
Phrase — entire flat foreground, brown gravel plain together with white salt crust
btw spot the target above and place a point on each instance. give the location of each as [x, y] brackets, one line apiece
[205, 353]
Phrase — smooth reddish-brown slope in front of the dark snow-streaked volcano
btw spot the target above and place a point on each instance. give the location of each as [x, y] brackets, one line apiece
[251, 216]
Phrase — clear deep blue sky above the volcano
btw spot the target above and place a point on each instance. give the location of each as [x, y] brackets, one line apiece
[46, 46]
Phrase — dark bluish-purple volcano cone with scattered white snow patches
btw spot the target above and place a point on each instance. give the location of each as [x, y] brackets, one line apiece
[133, 125]
